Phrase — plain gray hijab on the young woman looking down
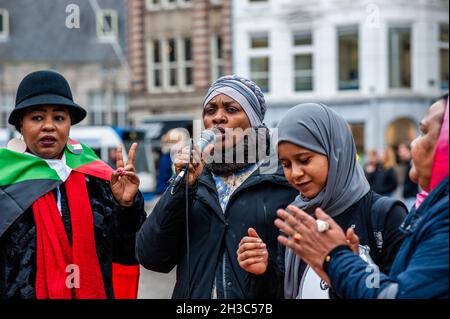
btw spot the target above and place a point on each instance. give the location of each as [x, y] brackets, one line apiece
[320, 129]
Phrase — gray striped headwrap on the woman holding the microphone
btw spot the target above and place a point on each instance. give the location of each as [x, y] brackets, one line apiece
[243, 91]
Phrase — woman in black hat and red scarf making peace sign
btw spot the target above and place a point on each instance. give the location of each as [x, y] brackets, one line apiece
[65, 215]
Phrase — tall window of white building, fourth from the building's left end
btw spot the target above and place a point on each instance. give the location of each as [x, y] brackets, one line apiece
[399, 57]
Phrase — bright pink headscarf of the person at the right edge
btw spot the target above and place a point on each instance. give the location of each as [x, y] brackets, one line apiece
[440, 162]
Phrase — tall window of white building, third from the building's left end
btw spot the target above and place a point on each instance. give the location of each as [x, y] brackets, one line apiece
[348, 58]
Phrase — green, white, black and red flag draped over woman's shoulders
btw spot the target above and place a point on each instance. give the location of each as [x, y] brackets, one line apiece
[24, 177]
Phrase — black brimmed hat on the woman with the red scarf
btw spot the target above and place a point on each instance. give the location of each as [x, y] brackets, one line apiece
[44, 88]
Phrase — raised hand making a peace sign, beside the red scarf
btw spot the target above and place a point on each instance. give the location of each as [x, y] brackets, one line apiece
[124, 181]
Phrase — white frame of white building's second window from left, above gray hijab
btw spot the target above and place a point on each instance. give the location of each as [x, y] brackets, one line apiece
[307, 49]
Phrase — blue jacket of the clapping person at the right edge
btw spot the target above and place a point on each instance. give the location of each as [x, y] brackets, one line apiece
[421, 267]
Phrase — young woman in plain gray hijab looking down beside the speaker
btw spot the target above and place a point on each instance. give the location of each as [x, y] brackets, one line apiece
[318, 155]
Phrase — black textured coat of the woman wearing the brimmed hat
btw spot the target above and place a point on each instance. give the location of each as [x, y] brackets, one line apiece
[115, 230]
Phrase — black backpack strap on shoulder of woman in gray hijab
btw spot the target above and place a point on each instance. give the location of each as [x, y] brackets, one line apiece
[380, 209]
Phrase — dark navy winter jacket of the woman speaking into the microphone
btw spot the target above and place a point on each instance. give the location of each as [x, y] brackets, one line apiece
[161, 242]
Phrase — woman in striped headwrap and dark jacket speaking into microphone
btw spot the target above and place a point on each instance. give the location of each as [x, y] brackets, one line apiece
[226, 196]
